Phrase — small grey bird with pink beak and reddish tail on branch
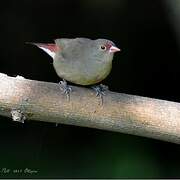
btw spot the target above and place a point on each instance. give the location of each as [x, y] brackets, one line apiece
[81, 61]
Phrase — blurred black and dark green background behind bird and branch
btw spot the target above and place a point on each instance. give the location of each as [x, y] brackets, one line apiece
[148, 33]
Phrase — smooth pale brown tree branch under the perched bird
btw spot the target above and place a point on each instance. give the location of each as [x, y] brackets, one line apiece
[43, 101]
